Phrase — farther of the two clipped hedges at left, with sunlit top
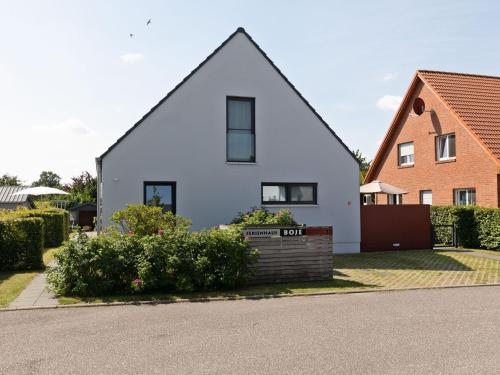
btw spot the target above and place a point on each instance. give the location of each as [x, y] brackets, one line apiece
[56, 223]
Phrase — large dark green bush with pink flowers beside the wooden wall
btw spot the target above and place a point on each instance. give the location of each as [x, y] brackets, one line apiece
[176, 260]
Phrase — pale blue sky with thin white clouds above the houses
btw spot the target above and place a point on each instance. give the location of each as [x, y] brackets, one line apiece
[72, 80]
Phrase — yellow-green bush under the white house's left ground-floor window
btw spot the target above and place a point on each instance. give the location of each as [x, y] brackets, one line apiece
[145, 220]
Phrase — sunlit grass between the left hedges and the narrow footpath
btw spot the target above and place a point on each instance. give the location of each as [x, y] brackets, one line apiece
[12, 283]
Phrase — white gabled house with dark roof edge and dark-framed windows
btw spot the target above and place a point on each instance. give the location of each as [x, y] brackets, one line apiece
[234, 134]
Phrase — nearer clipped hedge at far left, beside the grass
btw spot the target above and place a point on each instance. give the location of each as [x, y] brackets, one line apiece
[21, 244]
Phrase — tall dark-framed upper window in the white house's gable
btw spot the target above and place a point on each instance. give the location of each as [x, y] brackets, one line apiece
[240, 134]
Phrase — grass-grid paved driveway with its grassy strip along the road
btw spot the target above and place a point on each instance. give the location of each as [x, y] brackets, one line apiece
[358, 272]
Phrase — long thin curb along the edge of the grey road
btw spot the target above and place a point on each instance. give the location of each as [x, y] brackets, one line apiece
[235, 298]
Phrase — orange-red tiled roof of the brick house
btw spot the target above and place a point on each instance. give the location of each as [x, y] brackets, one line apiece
[473, 99]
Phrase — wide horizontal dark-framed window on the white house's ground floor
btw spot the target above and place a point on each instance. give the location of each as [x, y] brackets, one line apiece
[289, 193]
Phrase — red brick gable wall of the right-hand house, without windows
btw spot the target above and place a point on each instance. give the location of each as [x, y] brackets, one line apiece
[473, 167]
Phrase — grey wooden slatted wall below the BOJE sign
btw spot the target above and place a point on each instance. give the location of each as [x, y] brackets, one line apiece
[289, 259]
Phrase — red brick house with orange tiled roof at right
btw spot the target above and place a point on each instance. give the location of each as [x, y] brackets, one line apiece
[443, 146]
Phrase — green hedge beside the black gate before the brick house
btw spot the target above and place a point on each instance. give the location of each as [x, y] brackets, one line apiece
[477, 227]
